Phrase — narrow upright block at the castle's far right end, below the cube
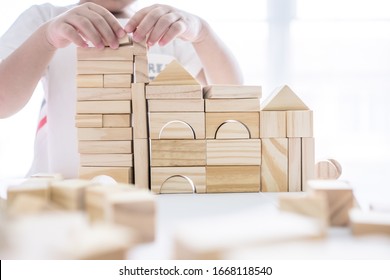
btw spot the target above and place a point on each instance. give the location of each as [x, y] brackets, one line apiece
[308, 161]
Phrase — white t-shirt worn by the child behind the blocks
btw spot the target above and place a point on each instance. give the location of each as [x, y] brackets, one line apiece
[56, 141]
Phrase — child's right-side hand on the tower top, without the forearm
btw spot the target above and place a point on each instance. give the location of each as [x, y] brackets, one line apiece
[161, 24]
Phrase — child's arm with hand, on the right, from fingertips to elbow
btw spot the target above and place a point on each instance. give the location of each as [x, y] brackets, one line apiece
[161, 24]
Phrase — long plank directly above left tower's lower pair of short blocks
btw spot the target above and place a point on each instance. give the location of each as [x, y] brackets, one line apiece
[104, 107]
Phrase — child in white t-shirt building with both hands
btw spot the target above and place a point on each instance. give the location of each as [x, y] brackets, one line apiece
[41, 45]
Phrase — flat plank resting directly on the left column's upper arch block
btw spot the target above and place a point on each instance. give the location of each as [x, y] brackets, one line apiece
[176, 105]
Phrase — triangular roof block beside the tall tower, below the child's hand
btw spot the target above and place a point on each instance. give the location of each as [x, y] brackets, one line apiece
[174, 74]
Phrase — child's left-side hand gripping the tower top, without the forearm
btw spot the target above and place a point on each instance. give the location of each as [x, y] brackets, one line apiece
[86, 22]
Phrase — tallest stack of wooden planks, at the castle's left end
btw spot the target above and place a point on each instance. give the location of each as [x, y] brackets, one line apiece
[104, 108]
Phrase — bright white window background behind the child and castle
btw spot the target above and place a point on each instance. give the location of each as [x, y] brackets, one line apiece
[335, 54]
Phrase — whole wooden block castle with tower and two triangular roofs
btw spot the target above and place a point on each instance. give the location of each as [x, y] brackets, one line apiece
[172, 135]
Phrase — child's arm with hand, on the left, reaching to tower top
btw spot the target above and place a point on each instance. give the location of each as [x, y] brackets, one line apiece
[21, 71]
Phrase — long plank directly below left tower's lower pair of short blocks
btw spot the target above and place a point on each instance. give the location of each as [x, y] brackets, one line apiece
[115, 134]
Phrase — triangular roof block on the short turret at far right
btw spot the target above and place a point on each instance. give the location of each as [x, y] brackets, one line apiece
[283, 99]
